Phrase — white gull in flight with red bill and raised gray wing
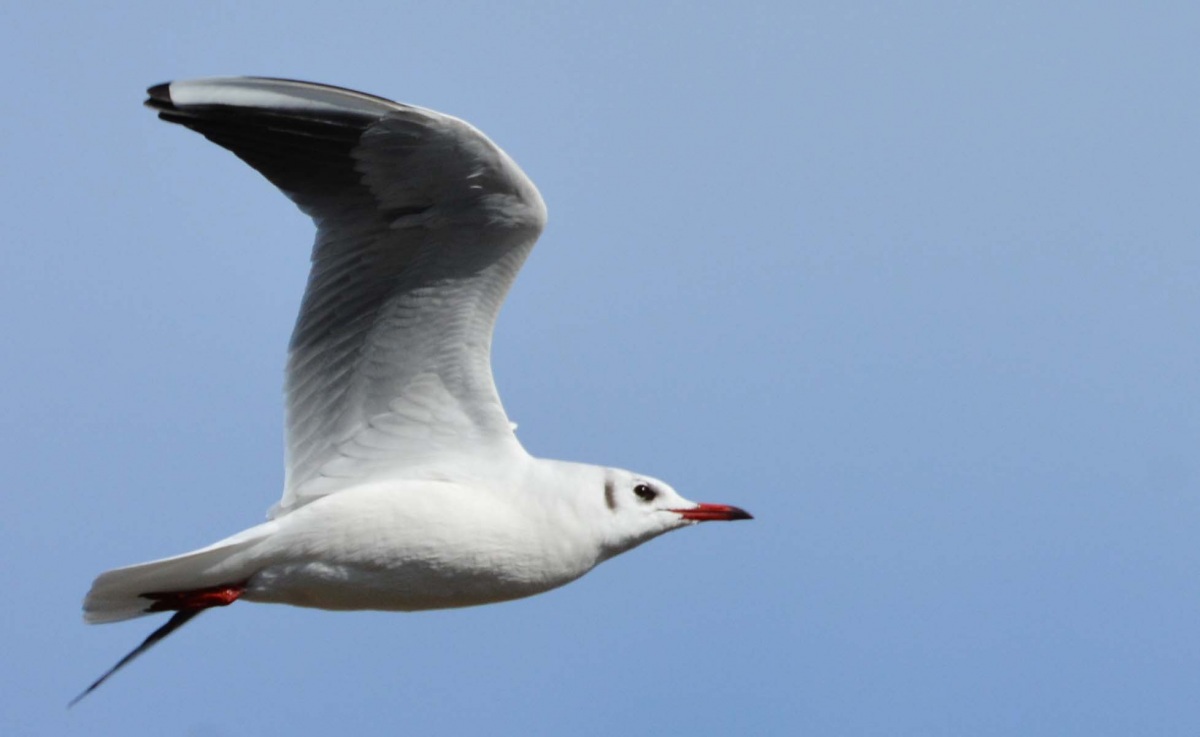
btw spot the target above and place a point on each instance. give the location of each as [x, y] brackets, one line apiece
[406, 488]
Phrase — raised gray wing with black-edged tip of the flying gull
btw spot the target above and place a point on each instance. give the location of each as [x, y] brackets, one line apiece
[422, 226]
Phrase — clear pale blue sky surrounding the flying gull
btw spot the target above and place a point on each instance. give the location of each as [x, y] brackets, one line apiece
[919, 286]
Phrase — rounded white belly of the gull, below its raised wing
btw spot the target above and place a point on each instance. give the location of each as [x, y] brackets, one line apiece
[429, 547]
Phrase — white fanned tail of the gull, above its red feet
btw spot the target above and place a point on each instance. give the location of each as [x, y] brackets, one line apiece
[121, 594]
